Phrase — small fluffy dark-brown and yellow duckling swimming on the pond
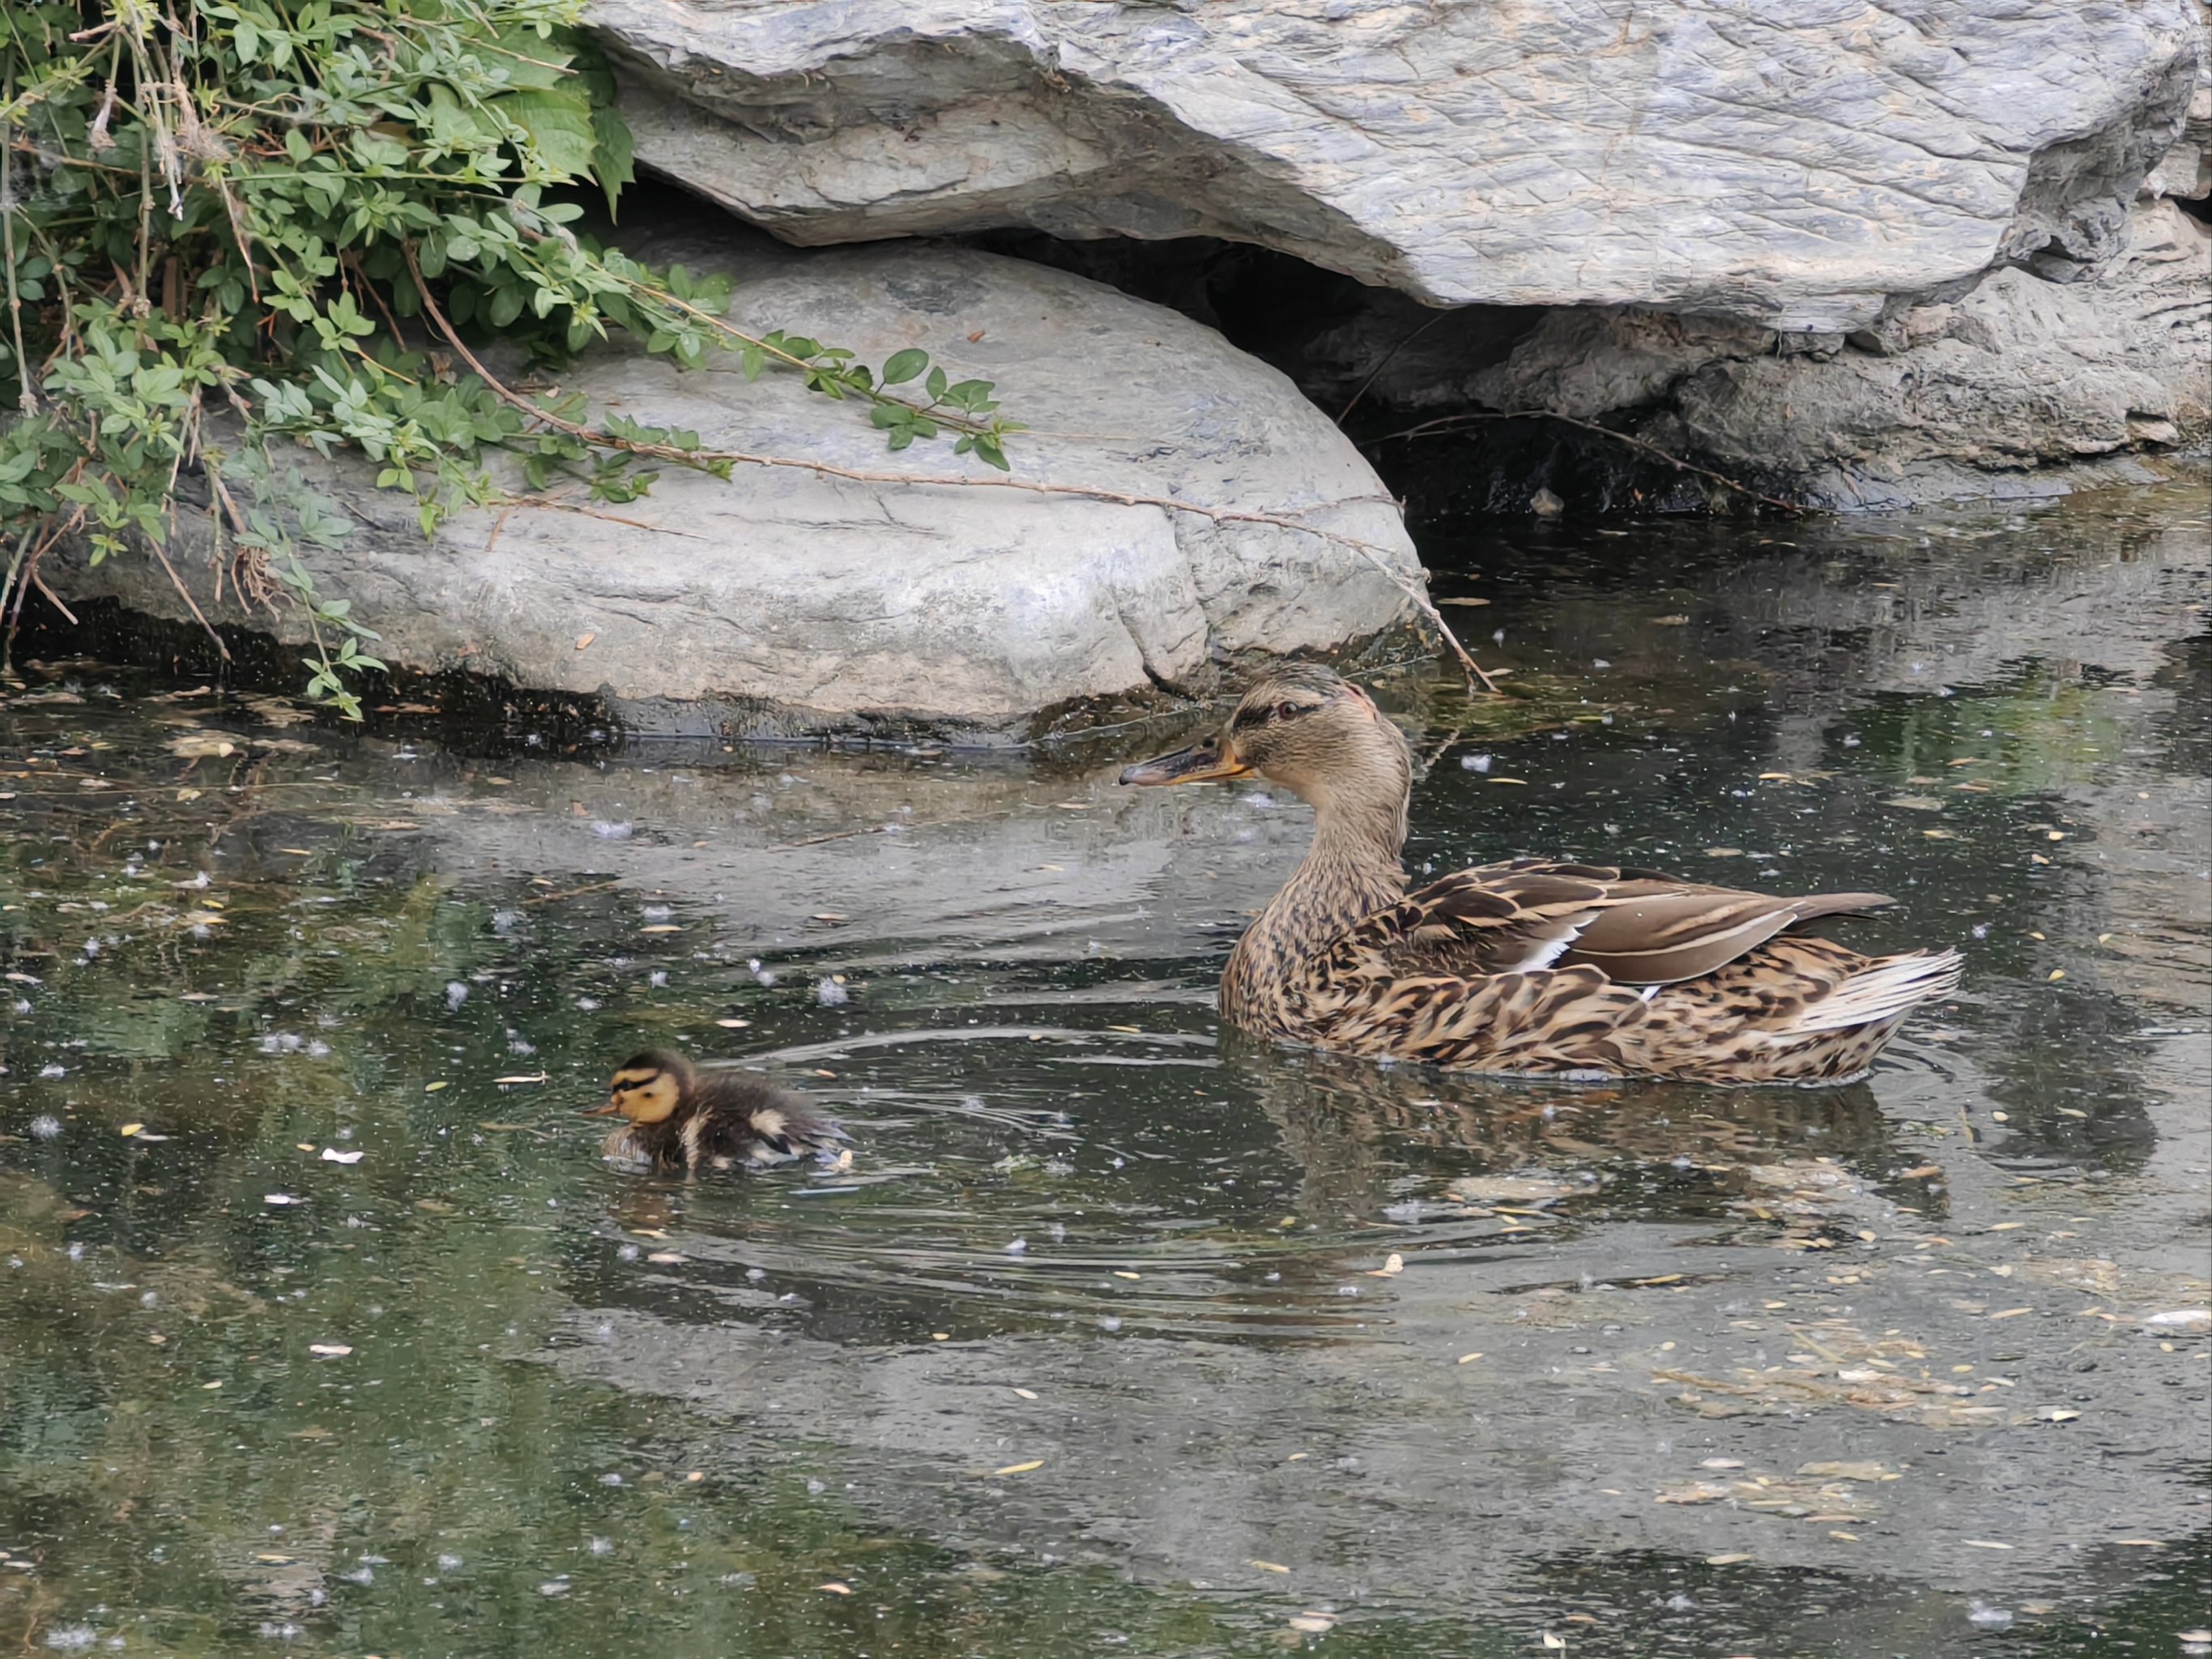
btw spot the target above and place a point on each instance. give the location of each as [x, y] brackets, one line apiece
[689, 1123]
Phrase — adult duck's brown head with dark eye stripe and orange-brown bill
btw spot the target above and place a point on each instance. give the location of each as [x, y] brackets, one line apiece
[1315, 733]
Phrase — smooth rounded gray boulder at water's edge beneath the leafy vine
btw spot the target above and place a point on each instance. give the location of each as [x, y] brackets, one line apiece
[789, 601]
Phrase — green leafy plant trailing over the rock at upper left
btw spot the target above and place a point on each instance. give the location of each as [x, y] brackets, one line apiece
[253, 225]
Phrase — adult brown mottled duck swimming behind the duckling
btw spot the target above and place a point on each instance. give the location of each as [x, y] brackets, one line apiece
[1525, 966]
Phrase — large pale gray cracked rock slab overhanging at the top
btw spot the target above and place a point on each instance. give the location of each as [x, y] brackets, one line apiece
[1799, 165]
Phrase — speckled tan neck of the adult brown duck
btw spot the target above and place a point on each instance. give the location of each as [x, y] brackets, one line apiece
[1350, 873]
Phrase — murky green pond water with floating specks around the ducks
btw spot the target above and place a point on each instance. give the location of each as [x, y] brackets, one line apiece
[322, 1339]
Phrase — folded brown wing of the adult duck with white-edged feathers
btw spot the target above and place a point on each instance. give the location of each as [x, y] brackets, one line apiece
[1532, 915]
